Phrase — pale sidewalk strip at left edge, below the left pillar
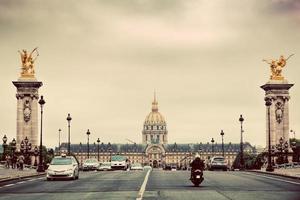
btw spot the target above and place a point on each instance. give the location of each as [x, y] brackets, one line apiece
[12, 174]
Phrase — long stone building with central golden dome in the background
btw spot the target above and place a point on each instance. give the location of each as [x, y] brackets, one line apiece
[154, 149]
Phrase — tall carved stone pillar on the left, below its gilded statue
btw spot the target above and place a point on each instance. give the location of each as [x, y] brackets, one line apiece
[27, 110]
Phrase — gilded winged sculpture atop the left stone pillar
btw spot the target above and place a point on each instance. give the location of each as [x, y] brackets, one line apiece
[27, 61]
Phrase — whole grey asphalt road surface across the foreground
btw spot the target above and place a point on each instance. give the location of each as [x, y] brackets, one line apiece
[160, 185]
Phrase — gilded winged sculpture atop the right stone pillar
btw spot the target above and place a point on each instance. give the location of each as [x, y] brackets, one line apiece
[277, 66]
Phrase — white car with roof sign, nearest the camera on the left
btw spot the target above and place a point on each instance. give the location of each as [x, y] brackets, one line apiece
[63, 167]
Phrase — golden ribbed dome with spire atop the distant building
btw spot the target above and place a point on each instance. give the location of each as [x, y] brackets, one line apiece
[154, 118]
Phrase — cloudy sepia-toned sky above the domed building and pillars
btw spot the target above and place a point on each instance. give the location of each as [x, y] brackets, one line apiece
[102, 60]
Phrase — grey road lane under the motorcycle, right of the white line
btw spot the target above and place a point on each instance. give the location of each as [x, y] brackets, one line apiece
[219, 185]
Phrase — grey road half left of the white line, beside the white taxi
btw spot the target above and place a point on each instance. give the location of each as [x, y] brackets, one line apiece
[91, 185]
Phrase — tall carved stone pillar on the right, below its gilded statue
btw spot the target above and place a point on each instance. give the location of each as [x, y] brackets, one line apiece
[278, 92]
